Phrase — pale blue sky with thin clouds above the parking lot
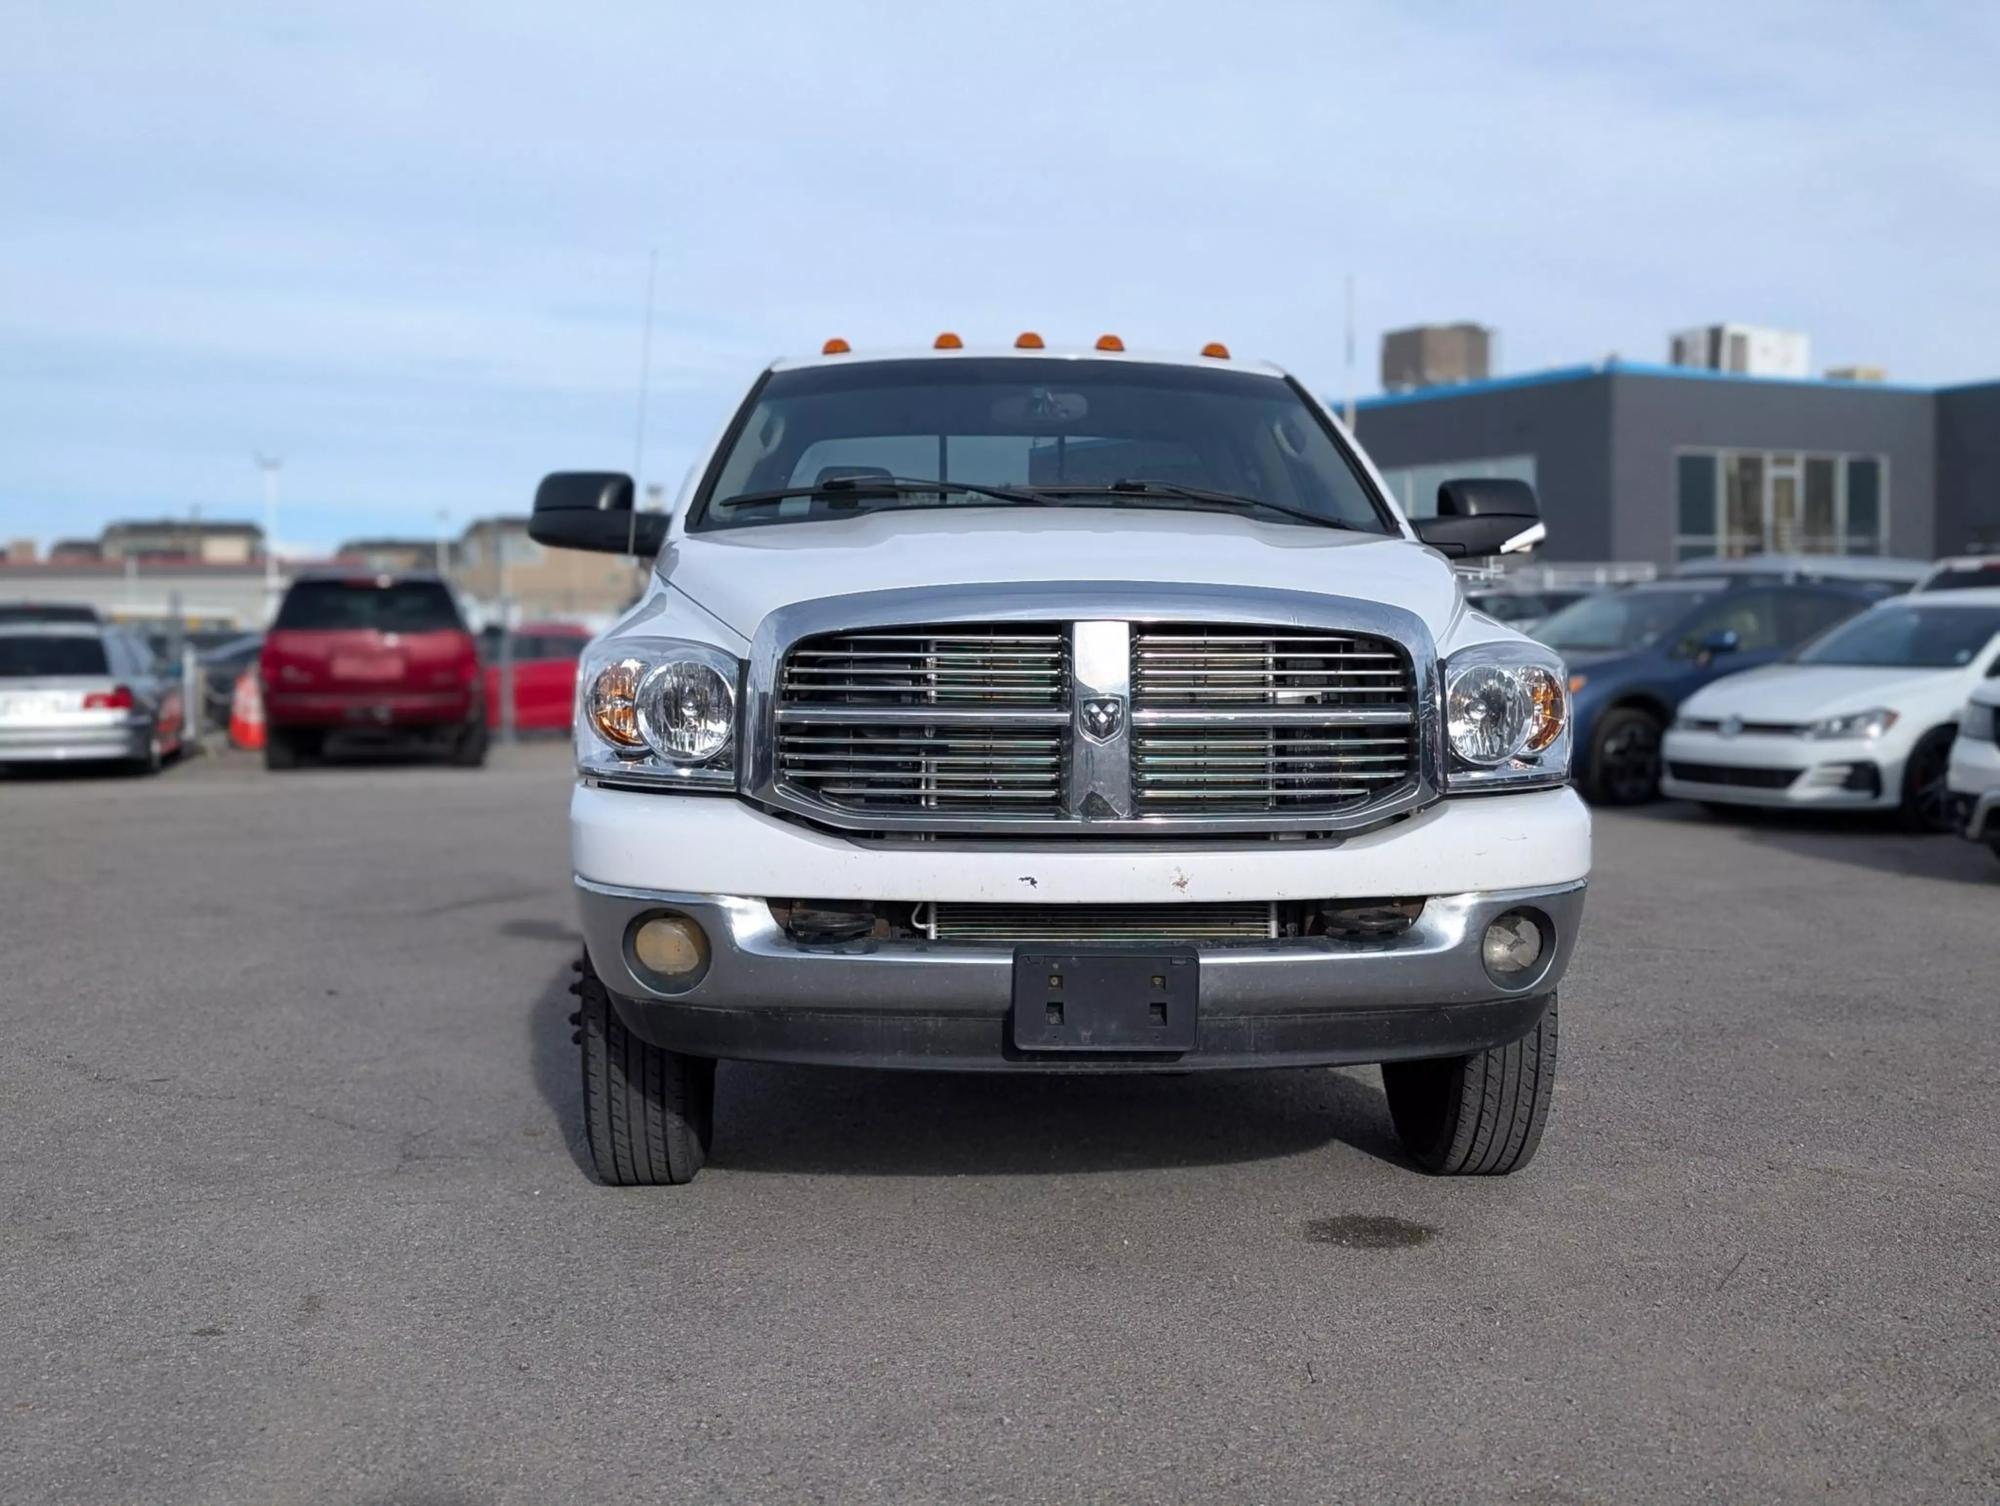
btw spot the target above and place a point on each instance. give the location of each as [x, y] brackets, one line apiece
[405, 247]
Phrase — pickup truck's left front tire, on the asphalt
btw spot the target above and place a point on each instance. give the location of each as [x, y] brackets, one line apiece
[649, 1113]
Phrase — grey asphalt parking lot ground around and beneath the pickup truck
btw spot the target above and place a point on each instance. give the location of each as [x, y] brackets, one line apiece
[295, 1203]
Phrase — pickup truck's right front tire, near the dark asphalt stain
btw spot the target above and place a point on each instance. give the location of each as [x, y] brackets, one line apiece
[1477, 1115]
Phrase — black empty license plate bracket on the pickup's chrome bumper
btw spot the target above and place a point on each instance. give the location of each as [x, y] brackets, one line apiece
[1107, 999]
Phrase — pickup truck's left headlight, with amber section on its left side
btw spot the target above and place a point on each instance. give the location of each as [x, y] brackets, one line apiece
[659, 711]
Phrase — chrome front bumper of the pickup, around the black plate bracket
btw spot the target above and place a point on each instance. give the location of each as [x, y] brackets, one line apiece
[945, 1005]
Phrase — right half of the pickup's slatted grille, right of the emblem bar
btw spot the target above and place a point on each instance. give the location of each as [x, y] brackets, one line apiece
[1233, 719]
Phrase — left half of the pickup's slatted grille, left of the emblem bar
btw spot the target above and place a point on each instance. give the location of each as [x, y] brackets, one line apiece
[943, 719]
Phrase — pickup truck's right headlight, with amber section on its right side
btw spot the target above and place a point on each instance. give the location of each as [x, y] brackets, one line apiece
[1507, 719]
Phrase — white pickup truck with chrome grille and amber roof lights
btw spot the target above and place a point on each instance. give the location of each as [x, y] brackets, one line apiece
[1029, 711]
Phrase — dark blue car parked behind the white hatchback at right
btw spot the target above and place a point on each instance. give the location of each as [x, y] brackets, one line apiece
[1635, 655]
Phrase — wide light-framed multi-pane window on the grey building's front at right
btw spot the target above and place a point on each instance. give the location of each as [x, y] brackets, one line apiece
[1733, 503]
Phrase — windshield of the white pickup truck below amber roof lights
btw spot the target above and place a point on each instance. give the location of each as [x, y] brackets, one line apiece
[1029, 425]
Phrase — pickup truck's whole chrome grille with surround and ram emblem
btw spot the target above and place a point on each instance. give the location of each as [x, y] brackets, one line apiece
[891, 723]
